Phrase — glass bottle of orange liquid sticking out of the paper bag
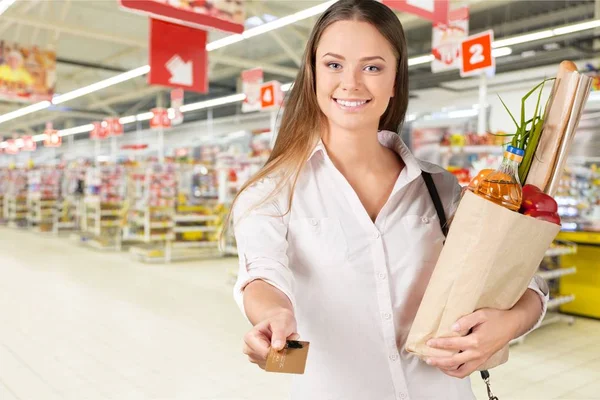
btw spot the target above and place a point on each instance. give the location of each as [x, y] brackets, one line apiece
[502, 186]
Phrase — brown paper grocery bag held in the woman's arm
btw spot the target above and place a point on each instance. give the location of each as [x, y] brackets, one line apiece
[490, 256]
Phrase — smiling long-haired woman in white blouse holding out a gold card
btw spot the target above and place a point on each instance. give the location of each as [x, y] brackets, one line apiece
[346, 264]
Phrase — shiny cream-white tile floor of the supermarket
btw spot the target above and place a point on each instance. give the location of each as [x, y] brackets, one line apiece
[80, 324]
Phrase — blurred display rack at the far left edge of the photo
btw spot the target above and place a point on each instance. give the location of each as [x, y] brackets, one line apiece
[15, 200]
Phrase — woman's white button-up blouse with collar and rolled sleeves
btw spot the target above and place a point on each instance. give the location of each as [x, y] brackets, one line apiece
[355, 285]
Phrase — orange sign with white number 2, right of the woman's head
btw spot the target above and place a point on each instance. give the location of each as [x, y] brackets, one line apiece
[477, 53]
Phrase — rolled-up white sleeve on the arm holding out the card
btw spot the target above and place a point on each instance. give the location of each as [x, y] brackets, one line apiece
[260, 230]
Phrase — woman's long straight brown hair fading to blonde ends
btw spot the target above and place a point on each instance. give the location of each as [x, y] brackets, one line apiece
[303, 120]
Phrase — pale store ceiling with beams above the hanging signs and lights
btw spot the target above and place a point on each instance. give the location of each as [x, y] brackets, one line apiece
[95, 40]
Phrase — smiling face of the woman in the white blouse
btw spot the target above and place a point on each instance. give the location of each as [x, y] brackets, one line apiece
[355, 73]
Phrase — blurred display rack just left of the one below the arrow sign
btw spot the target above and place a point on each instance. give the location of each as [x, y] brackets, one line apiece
[104, 207]
